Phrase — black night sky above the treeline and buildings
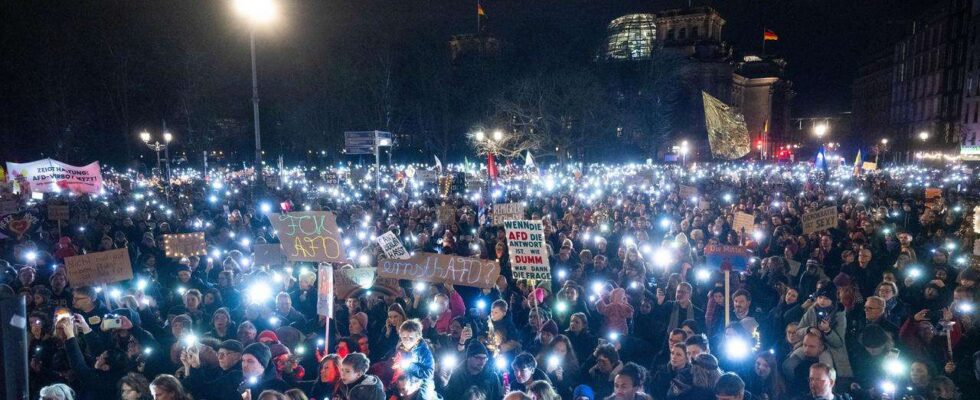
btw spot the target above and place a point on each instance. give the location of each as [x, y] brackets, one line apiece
[119, 66]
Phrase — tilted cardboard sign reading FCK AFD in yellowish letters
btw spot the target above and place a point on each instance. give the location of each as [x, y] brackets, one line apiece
[309, 236]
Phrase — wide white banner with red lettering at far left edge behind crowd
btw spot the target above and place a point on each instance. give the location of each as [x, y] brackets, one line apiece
[51, 176]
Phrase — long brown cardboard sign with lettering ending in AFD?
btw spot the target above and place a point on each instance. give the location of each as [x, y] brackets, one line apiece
[431, 267]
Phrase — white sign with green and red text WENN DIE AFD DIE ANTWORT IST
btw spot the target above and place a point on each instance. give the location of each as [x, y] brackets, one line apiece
[528, 256]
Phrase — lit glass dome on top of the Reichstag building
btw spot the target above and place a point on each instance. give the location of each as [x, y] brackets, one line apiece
[631, 37]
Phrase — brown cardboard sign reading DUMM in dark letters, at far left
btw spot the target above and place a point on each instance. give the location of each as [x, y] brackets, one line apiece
[99, 268]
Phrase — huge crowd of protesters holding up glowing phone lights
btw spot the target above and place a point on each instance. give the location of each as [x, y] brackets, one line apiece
[878, 307]
